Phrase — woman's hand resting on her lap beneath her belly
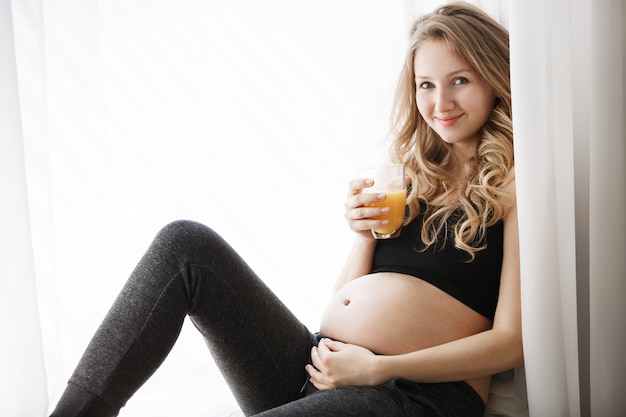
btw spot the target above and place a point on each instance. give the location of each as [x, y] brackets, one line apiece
[337, 364]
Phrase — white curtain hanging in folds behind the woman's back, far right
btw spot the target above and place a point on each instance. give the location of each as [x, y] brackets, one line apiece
[568, 74]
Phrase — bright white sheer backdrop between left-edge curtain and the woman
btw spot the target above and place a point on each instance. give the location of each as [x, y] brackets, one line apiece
[247, 116]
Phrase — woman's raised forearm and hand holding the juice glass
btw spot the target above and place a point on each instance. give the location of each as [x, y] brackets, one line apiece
[361, 220]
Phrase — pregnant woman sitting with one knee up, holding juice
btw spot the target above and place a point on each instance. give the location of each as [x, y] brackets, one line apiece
[417, 324]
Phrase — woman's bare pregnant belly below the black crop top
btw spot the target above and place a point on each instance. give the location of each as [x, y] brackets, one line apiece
[390, 313]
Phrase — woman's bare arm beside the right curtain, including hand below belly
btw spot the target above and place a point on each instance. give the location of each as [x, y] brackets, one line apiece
[486, 353]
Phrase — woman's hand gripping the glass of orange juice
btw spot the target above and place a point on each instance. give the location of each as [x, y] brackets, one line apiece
[361, 217]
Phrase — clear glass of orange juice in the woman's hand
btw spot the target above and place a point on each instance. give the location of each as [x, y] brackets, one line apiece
[389, 180]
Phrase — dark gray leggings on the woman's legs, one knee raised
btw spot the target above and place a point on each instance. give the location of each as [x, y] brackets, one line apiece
[258, 344]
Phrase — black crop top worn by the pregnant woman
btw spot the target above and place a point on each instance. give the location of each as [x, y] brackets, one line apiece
[475, 283]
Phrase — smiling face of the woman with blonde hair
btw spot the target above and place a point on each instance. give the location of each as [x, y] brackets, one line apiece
[452, 98]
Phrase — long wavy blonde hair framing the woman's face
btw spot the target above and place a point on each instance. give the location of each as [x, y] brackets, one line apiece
[475, 200]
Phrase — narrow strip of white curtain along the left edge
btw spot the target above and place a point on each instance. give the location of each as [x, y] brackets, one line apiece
[23, 380]
